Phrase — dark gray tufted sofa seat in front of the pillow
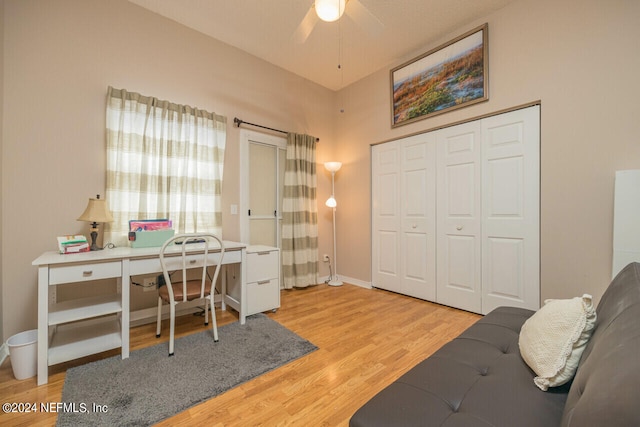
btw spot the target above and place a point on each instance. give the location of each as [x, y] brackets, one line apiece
[477, 379]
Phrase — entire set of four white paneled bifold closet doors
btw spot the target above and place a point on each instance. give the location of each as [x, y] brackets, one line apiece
[475, 187]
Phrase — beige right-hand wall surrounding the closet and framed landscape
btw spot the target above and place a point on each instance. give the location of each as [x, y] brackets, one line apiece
[581, 59]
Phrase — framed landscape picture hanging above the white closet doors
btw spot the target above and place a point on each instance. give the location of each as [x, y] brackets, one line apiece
[451, 76]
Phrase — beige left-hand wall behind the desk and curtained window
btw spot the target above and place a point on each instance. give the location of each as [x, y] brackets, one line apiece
[59, 58]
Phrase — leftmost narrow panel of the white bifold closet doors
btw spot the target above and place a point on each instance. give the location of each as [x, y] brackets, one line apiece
[385, 174]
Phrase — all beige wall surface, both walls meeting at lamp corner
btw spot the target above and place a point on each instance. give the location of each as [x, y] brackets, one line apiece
[579, 57]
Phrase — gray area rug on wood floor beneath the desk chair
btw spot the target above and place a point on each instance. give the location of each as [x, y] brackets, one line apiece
[149, 386]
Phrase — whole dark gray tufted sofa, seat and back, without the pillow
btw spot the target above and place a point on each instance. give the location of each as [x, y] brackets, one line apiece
[480, 379]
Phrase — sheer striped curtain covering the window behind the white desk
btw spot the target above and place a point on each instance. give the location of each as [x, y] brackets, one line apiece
[163, 161]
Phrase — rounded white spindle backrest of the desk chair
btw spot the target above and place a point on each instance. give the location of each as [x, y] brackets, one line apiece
[189, 251]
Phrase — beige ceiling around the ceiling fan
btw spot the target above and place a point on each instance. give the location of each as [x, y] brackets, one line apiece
[335, 54]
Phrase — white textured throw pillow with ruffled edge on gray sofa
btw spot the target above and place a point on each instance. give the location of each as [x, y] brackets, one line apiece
[553, 339]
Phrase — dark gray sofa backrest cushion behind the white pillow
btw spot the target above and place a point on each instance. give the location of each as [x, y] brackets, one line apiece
[606, 387]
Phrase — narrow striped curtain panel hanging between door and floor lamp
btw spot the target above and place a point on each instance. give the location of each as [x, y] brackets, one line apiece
[300, 213]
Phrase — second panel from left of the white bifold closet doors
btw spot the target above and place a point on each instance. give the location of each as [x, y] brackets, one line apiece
[418, 222]
